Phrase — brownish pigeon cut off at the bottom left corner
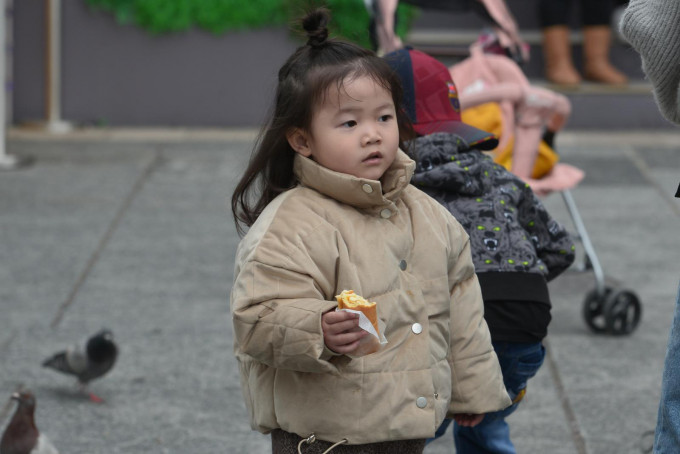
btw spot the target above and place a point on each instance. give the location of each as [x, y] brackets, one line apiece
[21, 435]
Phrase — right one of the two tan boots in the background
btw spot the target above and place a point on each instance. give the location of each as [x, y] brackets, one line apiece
[596, 66]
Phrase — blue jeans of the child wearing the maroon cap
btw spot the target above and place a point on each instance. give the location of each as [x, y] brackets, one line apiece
[519, 362]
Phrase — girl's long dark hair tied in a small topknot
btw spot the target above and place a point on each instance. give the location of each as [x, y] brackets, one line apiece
[302, 84]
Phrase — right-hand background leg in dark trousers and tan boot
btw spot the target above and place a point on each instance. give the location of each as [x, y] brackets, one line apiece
[597, 37]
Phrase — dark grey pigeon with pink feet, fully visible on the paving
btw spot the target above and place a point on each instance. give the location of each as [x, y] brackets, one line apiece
[87, 362]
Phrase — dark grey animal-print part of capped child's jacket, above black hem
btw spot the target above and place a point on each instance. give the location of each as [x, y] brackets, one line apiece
[510, 229]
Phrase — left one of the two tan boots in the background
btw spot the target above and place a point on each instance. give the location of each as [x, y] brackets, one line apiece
[559, 67]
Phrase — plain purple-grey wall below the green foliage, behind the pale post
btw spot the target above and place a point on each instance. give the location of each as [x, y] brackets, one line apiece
[121, 75]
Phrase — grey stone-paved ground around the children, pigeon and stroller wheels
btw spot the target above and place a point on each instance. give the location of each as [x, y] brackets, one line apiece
[133, 231]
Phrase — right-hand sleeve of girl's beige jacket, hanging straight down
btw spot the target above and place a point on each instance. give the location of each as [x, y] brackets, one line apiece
[476, 378]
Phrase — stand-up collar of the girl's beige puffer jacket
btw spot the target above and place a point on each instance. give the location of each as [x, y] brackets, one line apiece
[358, 192]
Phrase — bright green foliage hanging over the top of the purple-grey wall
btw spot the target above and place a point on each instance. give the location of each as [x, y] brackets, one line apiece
[350, 18]
